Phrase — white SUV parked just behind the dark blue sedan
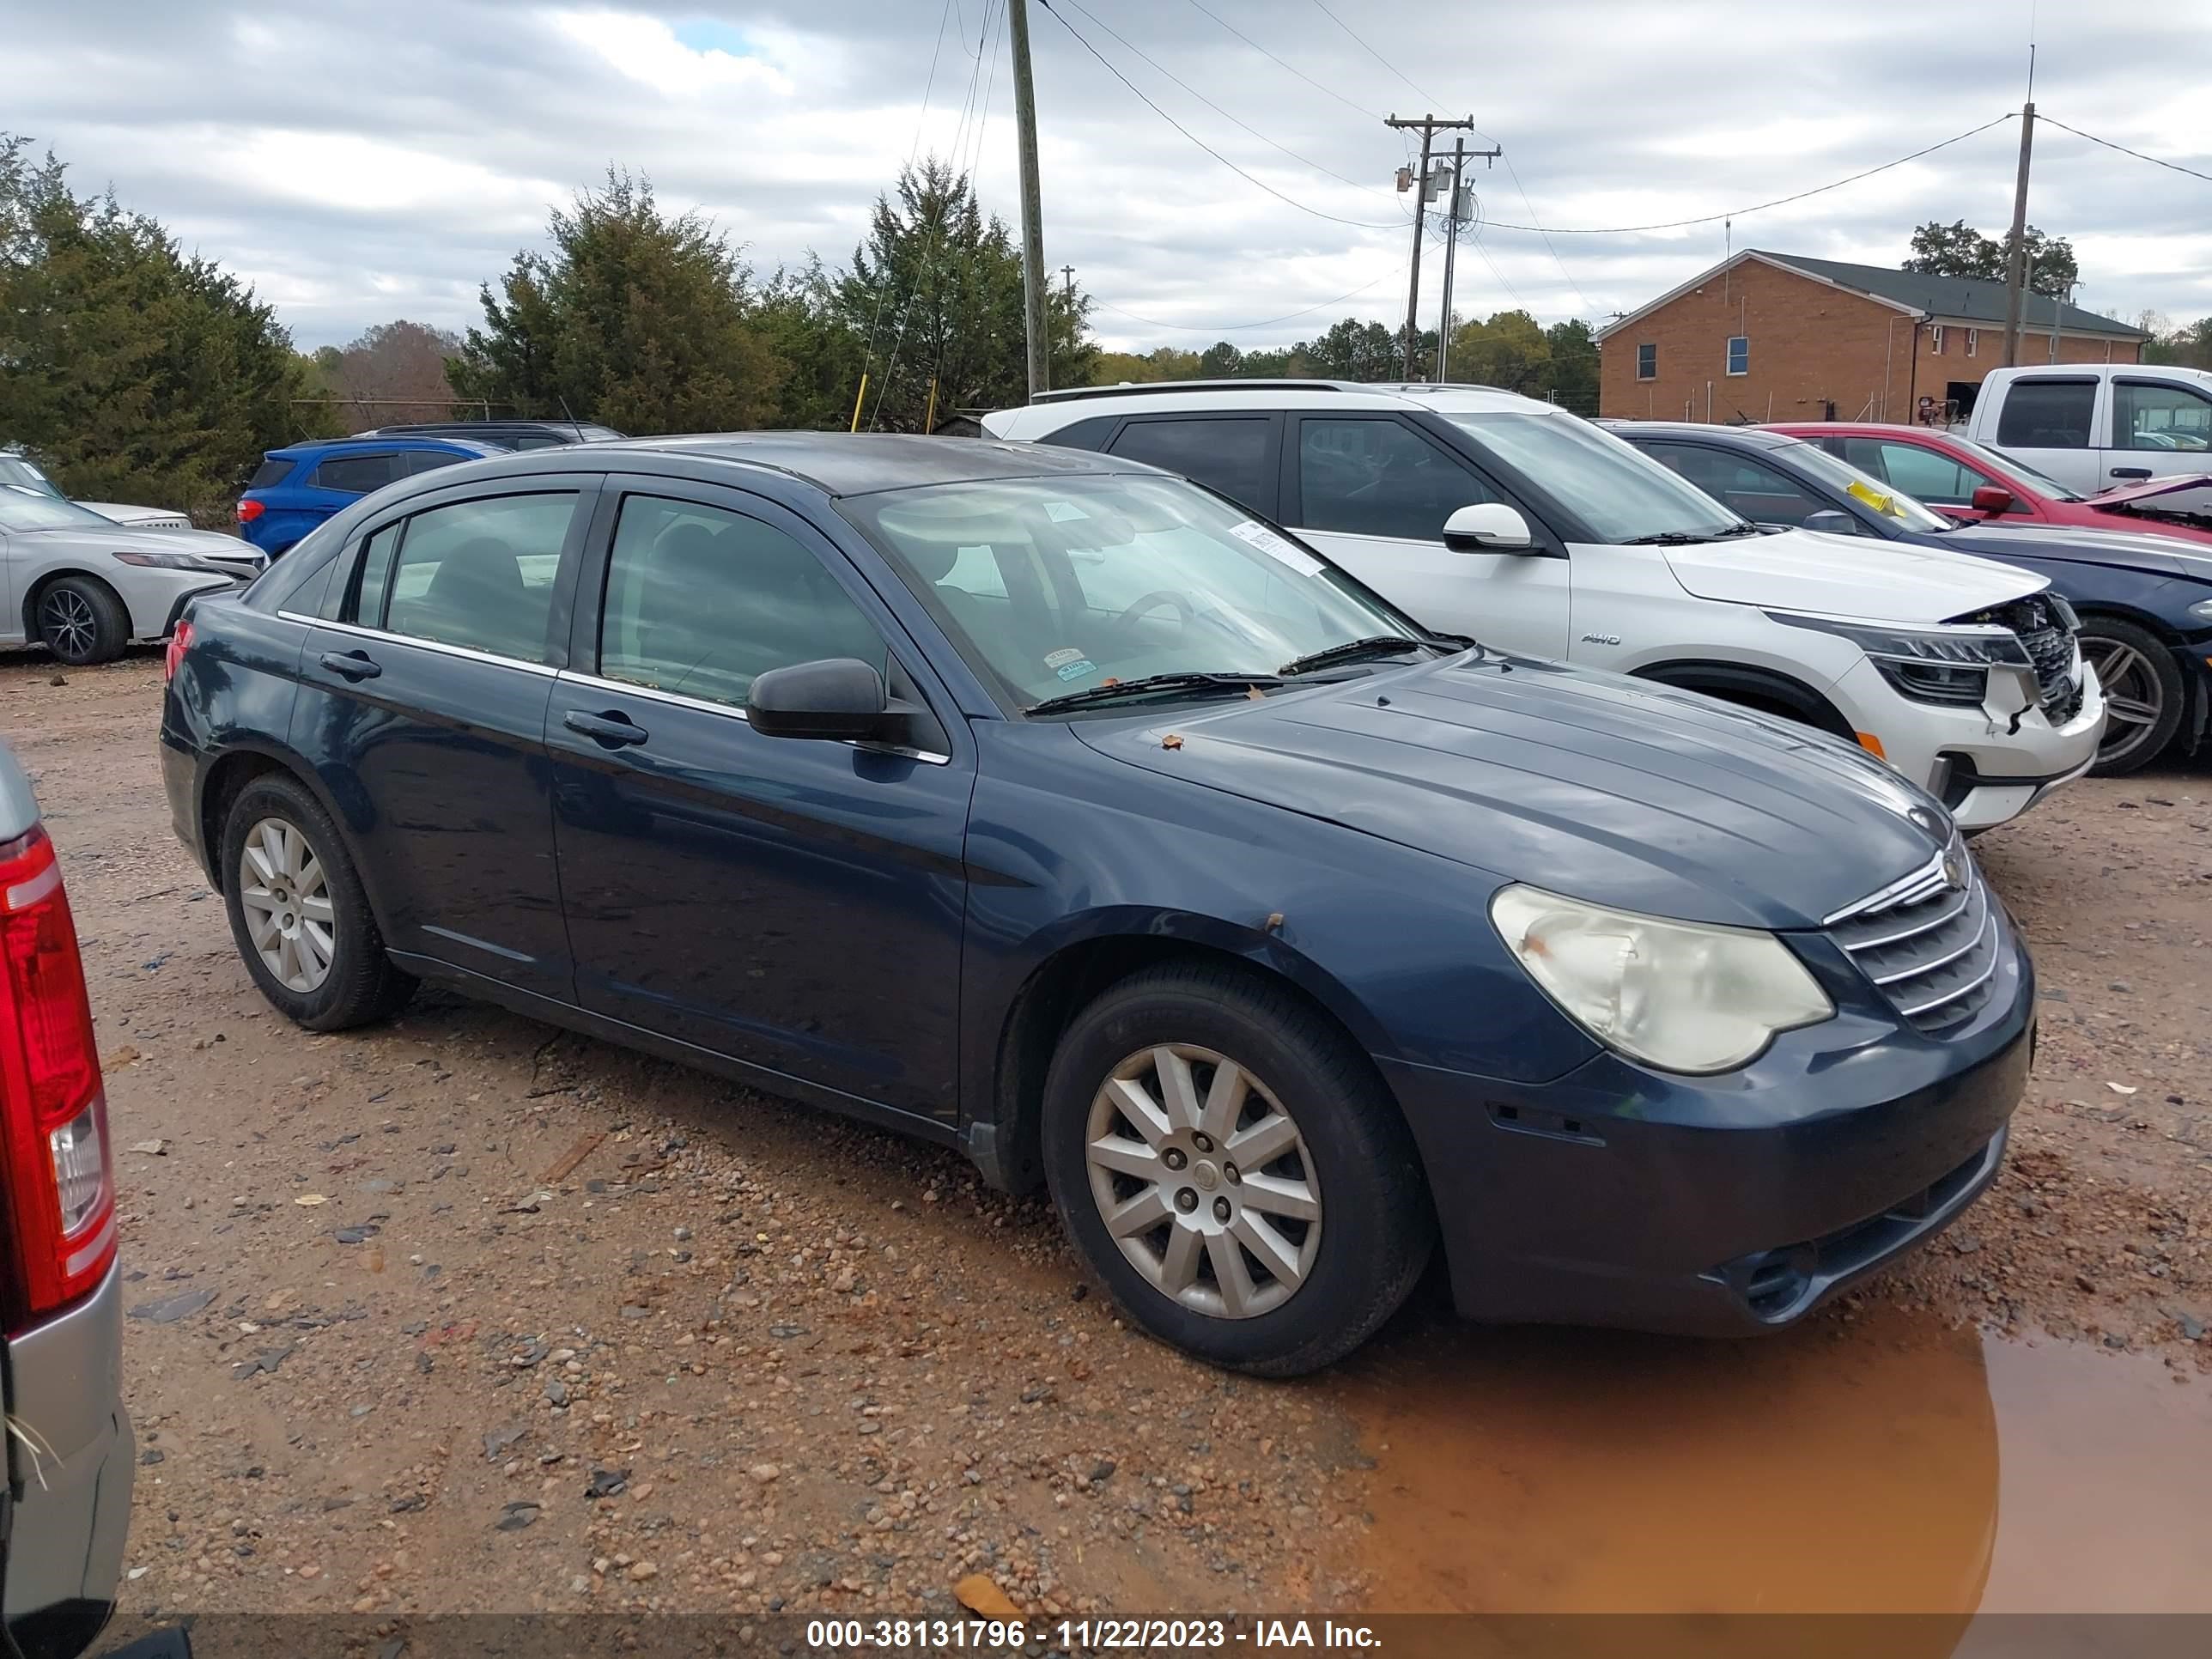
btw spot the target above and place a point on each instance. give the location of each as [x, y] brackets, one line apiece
[1505, 519]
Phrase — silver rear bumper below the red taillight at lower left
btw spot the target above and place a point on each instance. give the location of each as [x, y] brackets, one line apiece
[65, 1550]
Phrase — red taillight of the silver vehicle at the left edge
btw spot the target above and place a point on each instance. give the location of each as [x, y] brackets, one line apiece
[54, 1114]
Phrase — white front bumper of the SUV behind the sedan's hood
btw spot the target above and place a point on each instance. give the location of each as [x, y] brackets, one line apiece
[1985, 769]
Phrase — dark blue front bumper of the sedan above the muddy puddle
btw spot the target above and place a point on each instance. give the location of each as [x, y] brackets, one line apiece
[1718, 1207]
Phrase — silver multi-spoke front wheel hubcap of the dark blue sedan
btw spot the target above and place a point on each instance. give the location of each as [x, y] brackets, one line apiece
[1204, 1182]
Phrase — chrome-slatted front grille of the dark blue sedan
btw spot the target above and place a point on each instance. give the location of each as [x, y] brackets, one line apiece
[1928, 943]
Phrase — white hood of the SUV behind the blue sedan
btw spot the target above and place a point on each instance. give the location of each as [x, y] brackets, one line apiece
[1846, 576]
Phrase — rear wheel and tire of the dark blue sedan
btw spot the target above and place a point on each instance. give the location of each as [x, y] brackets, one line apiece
[291, 888]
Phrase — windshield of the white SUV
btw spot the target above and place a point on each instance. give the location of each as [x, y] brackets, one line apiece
[1616, 490]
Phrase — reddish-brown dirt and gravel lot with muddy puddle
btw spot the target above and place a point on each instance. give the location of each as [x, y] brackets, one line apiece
[472, 1315]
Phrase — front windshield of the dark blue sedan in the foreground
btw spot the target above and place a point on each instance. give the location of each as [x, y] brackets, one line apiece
[1065, 585]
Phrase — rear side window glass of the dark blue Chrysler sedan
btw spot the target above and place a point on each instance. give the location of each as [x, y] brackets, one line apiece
[477, 574]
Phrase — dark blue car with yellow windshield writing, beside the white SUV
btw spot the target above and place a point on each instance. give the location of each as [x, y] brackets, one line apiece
[2145, 601]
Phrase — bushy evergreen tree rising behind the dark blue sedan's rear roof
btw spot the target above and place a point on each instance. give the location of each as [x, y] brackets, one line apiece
[634, 317]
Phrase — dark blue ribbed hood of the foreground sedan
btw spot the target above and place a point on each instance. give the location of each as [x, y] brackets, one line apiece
[1587, 784]
